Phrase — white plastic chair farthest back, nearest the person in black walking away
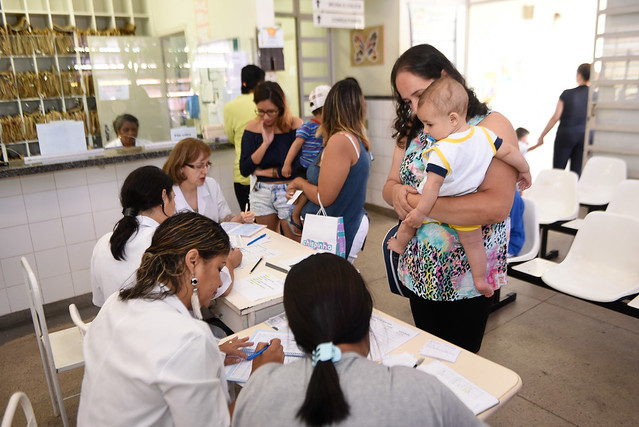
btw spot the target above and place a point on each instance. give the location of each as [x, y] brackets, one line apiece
[600, 177]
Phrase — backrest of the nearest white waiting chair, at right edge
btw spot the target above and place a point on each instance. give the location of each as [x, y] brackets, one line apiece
[607, 241]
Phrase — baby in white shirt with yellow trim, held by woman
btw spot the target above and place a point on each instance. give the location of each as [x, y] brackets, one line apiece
[456, 165]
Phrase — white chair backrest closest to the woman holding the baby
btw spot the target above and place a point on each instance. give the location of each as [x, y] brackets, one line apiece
[555, 195]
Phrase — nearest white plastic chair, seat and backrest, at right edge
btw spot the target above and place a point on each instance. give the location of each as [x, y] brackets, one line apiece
[601, 264]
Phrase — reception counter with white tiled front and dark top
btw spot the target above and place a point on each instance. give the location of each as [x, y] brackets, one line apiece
[54, 213]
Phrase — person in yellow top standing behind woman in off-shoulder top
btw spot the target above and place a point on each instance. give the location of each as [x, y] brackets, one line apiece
[237, 113]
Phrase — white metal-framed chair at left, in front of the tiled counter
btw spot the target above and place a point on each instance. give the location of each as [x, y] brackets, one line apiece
[60, 351]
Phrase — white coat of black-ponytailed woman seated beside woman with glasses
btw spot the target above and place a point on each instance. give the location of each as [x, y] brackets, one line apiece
[109, 275]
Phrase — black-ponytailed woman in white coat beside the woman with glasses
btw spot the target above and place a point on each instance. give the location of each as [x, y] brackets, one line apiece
[147, 199]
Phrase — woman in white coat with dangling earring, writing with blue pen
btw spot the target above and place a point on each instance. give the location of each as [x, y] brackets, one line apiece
[148, 361]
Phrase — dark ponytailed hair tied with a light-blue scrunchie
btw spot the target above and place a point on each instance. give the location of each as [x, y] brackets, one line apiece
[326, 300]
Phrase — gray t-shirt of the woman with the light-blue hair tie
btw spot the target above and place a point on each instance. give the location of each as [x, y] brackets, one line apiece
[377, 395]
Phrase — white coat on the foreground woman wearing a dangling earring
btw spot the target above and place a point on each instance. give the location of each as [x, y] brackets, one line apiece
[149, 362]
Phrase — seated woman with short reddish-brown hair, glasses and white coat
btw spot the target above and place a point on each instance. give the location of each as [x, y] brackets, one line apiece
[188, 166]
